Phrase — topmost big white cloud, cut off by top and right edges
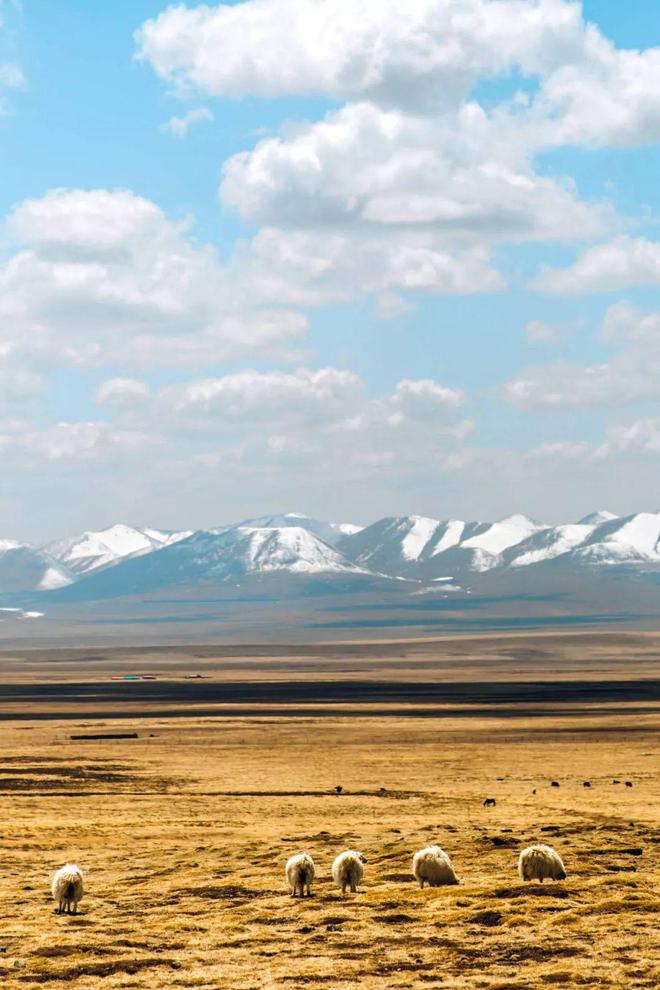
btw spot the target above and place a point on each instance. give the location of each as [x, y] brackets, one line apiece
[422, 57]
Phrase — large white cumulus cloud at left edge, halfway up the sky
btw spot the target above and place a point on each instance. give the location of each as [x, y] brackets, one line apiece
[105, 276]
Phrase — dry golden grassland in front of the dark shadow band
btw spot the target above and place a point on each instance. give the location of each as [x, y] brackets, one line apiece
[184, 832]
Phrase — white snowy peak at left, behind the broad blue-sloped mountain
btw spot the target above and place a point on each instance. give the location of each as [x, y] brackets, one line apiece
[95, 550]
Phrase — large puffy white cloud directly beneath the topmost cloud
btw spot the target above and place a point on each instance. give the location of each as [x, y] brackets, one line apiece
[463, 175]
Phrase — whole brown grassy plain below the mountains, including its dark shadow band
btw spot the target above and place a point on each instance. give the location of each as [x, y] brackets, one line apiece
[183, 832]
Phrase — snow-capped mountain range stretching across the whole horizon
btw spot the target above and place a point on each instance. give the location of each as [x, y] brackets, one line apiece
[418, 549]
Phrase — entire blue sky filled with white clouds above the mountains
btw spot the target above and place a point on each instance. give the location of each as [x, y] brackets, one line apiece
[350, 258]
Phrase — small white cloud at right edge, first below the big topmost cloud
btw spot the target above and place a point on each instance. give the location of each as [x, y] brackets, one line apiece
[610, 267]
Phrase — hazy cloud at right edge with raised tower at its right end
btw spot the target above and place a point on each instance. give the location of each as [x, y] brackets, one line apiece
[631, 374]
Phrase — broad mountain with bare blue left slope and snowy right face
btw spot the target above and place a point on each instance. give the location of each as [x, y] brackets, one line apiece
[231, 555]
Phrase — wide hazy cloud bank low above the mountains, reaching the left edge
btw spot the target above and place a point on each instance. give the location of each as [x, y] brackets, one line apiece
[266, 435]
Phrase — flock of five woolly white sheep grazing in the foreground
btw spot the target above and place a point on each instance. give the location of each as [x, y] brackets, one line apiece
[431, 865]
